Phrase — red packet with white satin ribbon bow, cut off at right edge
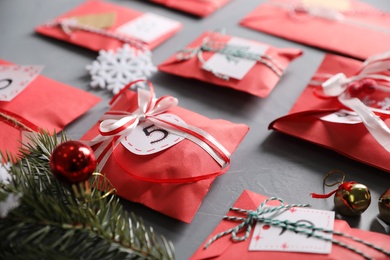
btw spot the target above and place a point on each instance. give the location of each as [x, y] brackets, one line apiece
[345, 108]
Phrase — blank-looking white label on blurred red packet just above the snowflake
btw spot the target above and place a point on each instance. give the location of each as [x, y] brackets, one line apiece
[148, 27]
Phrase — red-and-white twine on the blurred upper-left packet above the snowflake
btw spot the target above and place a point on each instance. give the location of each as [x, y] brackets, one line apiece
[68, 25]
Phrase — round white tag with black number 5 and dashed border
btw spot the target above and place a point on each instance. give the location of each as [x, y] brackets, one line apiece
[148, 138]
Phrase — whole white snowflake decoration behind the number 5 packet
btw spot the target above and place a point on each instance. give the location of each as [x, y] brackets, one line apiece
[113, 70]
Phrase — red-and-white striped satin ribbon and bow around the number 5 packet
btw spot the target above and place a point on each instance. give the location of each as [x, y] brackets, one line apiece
[116, 125]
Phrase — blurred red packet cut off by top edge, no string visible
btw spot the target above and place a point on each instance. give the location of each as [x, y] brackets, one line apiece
[200, 8]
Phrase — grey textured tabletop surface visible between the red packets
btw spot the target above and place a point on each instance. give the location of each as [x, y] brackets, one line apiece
[266, 162]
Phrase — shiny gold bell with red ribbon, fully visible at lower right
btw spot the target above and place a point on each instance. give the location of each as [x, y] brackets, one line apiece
[352, 199]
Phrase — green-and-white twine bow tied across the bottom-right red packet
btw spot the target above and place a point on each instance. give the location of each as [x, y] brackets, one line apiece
[301, 227]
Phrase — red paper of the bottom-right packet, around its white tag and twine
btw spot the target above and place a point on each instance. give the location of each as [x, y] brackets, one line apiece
[225, 248]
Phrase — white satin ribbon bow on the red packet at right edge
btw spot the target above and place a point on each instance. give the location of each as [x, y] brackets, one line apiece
[337, 85]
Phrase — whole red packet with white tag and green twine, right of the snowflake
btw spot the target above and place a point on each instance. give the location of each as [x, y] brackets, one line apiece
[219, 59]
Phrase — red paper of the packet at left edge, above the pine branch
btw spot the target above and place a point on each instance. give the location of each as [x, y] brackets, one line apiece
[44, 104]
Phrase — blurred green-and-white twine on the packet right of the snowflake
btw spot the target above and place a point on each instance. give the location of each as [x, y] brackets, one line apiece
[213, 43]
